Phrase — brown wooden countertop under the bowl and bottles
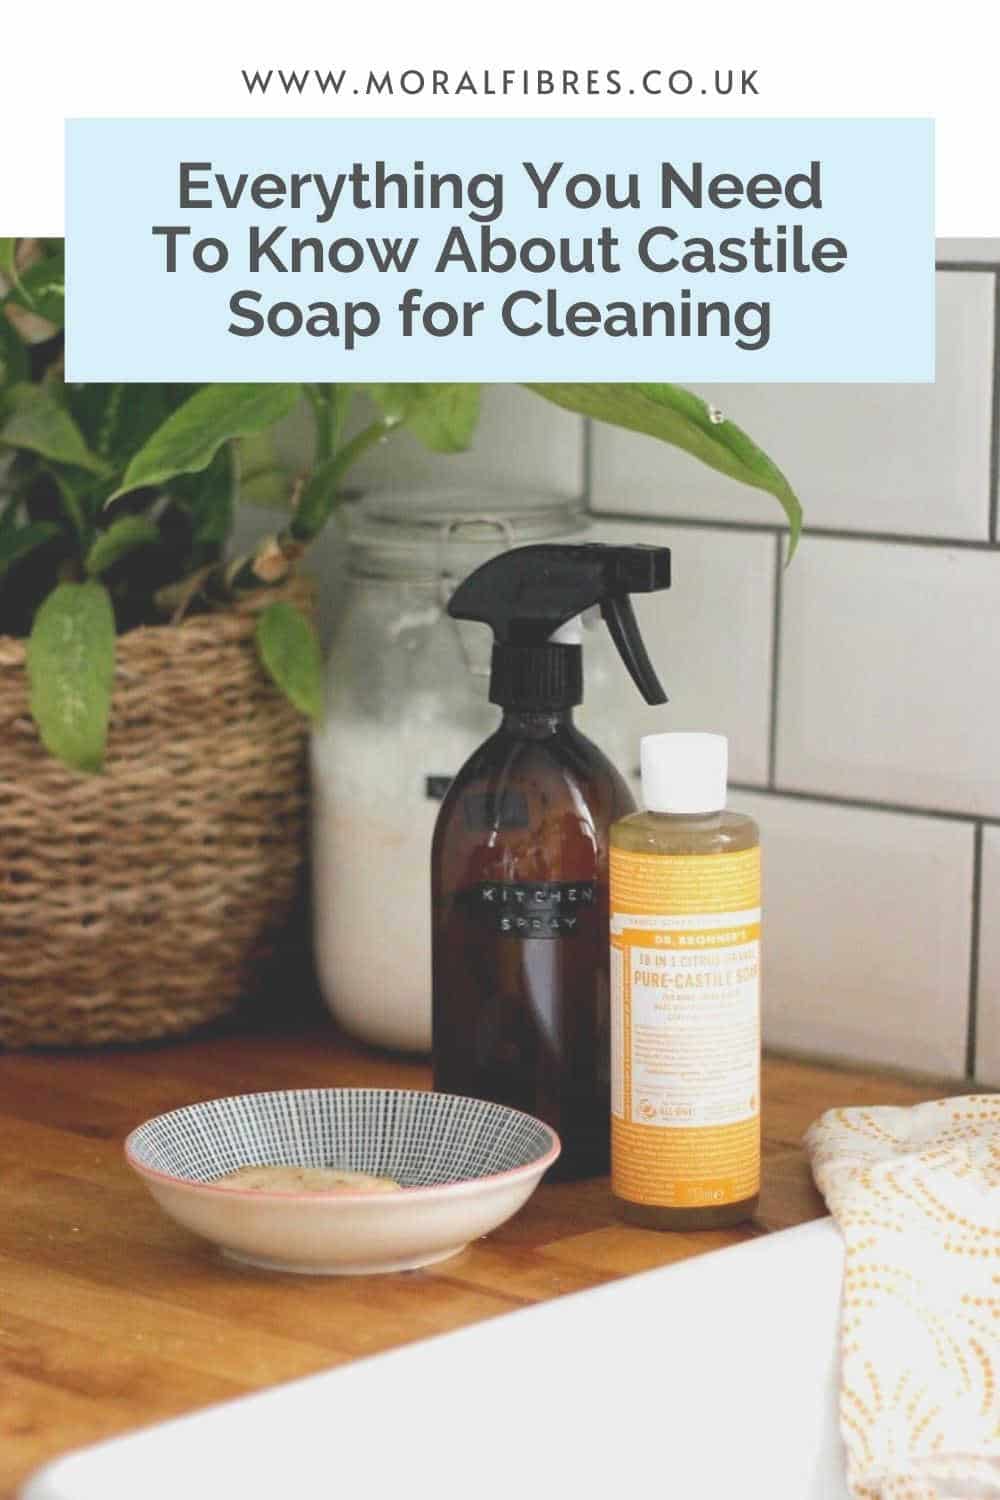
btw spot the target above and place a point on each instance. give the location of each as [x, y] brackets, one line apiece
[113, 1318]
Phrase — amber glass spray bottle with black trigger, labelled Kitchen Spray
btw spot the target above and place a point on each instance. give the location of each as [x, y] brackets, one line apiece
[519, 869]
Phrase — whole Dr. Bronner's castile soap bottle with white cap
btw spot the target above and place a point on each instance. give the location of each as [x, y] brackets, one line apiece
[686, 995]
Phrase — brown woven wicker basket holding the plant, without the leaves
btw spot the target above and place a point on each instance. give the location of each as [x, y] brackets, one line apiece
[139, 904]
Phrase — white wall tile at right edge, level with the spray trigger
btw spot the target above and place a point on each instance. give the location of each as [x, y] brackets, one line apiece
[888, 676]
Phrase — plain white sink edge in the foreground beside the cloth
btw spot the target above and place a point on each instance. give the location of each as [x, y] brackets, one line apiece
[717, 1375]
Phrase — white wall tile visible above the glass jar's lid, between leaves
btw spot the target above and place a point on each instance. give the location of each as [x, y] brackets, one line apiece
[522, 443]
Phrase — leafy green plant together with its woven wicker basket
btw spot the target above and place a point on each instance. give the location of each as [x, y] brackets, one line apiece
[157, 691]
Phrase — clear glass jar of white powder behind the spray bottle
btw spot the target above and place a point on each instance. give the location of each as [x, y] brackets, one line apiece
[407, 704]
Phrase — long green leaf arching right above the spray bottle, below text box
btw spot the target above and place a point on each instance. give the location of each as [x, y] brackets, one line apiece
[683, 419]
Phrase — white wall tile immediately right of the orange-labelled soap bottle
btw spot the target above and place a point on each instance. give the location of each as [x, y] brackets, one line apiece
[866, 932]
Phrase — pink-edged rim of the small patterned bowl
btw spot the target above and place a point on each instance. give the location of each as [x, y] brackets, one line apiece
[433, 1190]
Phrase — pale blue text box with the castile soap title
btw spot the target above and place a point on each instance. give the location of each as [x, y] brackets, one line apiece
[623, 320]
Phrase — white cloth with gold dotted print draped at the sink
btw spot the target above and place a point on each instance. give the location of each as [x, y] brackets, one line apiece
[917, 1196]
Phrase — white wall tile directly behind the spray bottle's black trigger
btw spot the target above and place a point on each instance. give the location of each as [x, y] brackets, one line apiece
[710, 638]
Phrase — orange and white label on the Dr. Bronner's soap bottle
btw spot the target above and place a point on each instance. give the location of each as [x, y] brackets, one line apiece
[686, 1028]
